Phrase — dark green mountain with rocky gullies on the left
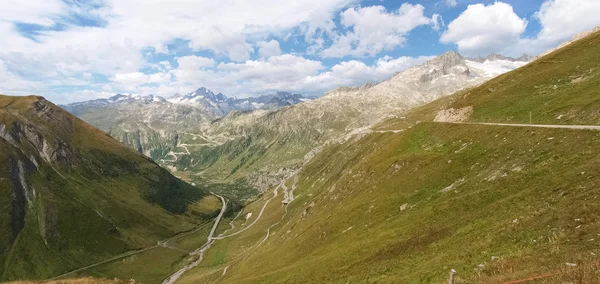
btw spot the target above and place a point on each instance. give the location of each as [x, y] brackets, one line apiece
[71, 195]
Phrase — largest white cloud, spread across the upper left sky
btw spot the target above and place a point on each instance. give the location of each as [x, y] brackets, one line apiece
[130, 26]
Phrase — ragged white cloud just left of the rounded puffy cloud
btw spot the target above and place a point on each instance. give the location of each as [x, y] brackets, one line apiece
[373, 29]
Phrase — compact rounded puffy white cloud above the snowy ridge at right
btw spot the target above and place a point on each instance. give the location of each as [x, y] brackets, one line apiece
[483, 29]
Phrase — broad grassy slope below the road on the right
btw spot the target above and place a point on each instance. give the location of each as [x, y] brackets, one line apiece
[360, 190]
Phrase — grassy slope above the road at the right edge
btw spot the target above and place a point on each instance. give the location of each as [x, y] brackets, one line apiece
[561, 88]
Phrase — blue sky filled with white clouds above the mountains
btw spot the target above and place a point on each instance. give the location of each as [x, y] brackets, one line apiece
[75, 50]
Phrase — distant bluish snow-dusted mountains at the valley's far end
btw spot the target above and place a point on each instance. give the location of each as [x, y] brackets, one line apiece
[155, 126]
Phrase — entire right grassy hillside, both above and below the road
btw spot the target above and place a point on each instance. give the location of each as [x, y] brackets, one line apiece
[495, 203]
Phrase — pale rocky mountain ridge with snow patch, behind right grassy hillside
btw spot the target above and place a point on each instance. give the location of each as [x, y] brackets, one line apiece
[262, 146]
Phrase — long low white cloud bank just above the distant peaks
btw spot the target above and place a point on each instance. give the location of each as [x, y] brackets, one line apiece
[287, 73]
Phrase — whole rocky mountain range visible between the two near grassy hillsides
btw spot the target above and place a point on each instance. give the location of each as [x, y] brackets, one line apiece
[257, 140]
